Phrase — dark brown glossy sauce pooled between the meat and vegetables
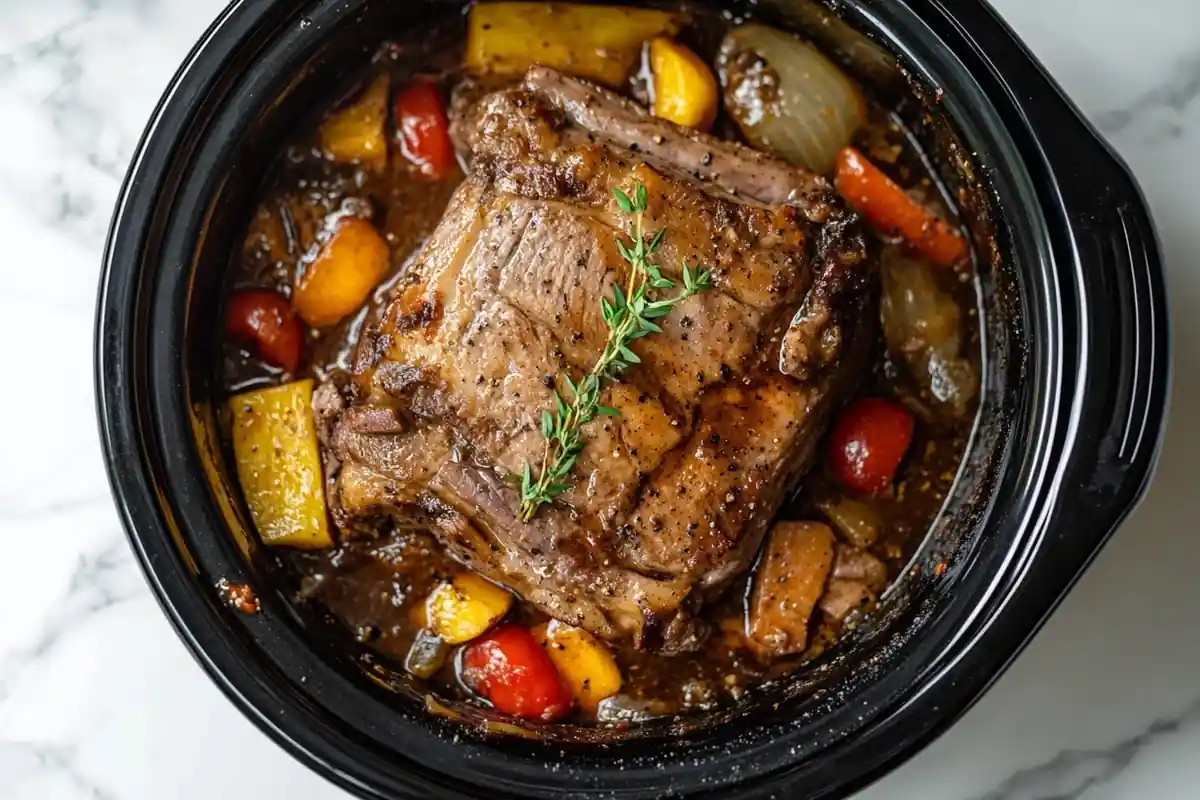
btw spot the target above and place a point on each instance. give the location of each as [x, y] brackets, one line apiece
[376, 586]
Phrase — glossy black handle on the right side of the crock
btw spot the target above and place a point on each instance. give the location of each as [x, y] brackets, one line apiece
[1125, 390]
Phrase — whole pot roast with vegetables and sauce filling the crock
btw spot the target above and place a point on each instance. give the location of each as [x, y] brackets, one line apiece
[607, 366]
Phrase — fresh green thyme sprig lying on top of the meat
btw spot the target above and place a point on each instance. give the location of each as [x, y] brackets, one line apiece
[629, 316]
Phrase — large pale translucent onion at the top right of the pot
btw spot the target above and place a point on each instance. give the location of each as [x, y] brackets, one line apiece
[788, 98]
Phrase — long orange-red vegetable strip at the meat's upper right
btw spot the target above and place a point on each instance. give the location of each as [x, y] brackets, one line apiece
[892, 212]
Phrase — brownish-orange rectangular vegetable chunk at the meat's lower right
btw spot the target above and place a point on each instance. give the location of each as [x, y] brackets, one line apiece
[791, 580]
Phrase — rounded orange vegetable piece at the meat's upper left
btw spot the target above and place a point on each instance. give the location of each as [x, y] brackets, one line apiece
[349, 267]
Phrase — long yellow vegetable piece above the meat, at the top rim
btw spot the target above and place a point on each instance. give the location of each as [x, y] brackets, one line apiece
[597, 43]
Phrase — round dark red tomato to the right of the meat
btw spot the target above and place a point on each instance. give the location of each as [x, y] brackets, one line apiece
[868, 443]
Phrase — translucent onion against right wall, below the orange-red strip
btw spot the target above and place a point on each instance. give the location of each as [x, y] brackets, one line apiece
[922, 324]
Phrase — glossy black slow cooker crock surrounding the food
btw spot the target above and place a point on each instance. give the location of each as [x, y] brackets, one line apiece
[1076, 339]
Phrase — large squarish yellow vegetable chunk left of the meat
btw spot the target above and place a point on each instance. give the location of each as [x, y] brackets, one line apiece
[279, 466]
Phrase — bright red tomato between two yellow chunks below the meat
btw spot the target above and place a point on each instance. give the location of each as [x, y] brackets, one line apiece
[511, 669]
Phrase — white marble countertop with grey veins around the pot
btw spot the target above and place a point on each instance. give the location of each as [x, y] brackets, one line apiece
[100, 700]
